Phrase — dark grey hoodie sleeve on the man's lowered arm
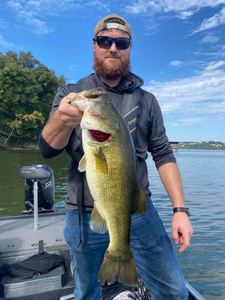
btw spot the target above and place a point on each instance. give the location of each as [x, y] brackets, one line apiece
[158, 144]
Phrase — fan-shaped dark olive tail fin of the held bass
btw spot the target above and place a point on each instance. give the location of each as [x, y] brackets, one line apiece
[117, 269]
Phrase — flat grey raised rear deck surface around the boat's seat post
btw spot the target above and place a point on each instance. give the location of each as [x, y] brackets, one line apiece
[18, 236]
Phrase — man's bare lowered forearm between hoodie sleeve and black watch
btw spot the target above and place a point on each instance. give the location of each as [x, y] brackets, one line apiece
[170, 177]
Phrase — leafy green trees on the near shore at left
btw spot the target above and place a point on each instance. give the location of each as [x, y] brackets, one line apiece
[27, 88]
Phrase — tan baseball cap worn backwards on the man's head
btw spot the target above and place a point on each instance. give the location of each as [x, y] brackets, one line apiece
[113, 21]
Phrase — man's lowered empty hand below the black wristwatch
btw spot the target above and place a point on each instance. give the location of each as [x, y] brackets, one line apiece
[181, 230]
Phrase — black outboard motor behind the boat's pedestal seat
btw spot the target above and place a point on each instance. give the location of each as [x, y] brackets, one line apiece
[46, 192]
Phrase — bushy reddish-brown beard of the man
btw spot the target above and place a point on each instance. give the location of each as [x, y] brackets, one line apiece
[114, 72]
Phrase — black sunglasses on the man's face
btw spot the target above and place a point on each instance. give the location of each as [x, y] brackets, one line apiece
[106, 42]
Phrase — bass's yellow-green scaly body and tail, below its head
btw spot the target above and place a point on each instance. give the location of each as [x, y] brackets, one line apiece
[114, 189]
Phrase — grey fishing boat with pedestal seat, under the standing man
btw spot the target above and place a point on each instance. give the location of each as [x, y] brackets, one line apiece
[24, 236]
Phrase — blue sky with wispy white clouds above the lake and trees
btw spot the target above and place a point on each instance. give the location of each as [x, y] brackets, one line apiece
[178, 49]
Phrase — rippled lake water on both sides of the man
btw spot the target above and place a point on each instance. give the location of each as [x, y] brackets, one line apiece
[203, 175]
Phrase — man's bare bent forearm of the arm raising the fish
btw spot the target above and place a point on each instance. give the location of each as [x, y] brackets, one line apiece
[56, 133]
